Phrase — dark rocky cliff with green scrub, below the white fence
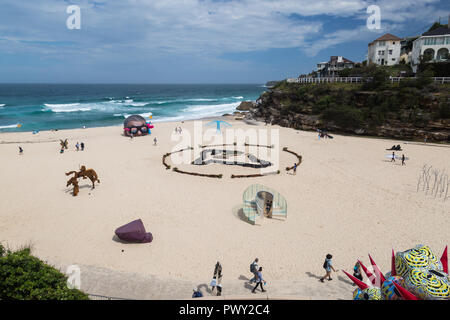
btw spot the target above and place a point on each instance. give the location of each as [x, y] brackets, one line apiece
[401, 112]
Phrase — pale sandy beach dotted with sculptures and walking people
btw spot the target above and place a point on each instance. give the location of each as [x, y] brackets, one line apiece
[346, 199]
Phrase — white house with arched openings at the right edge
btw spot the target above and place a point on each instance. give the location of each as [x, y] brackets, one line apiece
[433, 45]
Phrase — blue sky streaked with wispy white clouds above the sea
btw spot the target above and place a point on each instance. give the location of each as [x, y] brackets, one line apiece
[193, 41]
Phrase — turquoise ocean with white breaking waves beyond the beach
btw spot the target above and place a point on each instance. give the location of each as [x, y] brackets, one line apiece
[29, 107]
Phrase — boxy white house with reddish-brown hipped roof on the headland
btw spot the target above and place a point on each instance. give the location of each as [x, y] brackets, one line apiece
[385, 51]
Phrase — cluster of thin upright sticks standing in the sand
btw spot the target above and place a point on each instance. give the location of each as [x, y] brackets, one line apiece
[435, 182]
